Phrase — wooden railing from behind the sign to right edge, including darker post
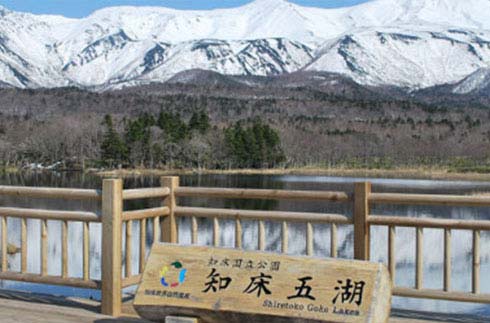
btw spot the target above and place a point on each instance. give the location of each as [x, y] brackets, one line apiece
[362, 221]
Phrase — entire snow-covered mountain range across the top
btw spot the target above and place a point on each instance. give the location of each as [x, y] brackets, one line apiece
[407, 43]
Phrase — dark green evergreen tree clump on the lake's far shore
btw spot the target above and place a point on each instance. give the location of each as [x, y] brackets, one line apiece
[167, 140]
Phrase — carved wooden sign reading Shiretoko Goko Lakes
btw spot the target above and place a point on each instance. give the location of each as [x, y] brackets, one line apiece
[230, 285]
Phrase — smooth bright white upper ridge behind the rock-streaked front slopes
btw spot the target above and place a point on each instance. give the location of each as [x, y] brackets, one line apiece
[279, 18]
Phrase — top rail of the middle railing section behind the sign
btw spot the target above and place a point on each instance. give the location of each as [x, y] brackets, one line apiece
[238, 193]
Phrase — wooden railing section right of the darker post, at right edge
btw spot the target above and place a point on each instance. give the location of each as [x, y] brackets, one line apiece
[392, 222]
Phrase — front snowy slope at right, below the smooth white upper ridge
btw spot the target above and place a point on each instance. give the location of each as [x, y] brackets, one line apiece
[405, 58]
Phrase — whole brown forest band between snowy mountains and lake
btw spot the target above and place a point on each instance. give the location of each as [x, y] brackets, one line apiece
[202, 126]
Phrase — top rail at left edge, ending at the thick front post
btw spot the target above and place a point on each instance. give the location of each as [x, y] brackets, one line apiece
[50, 192]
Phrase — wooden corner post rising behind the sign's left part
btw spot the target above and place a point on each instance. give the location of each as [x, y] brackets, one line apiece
[169, 223]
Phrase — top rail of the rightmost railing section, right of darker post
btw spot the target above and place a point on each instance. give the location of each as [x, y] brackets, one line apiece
[428, 199]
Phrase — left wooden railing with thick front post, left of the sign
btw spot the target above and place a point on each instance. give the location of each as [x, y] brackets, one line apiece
[112, 218]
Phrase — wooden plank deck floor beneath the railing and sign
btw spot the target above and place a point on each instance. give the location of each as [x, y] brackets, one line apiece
[16, 307]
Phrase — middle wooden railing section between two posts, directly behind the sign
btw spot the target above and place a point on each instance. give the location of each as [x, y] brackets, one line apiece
[261, 216]
